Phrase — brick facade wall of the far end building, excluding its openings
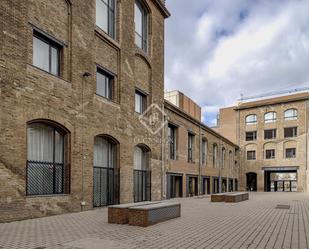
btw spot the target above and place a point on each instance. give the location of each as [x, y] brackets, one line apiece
[279, 144]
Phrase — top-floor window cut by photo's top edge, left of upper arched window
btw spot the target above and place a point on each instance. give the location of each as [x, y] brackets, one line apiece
[105, 16]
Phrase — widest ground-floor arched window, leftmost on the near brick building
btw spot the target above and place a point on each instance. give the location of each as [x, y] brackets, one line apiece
[47, 171]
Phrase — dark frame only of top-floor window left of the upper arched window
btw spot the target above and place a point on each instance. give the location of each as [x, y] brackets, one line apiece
[111, 18]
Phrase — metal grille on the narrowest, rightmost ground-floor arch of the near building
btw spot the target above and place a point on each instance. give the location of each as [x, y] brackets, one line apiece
[142, 185]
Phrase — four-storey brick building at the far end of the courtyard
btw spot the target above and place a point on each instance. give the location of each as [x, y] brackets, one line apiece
[273, 138]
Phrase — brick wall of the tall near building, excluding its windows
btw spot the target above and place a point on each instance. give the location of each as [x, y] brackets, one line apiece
[28, 93]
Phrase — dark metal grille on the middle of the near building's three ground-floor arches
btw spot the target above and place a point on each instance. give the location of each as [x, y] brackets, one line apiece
[105, 186]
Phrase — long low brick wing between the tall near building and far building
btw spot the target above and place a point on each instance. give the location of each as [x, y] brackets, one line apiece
[198, 159]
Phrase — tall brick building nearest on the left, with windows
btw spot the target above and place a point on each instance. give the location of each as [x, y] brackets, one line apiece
[75, 78]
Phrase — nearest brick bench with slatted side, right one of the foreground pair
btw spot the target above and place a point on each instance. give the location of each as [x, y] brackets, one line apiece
[151, 214]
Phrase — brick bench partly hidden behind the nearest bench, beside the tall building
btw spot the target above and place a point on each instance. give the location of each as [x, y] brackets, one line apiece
[119, 214]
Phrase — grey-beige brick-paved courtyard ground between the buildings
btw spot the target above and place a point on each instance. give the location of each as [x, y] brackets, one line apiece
[256, 223]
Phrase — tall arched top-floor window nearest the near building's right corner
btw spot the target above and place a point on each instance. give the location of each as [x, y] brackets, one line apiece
[141, 26]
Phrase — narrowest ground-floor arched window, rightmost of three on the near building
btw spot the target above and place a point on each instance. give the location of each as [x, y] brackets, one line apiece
[142, 174]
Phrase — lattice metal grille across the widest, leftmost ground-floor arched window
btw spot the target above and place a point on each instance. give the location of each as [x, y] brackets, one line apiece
[45, 178]
